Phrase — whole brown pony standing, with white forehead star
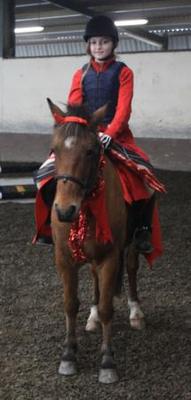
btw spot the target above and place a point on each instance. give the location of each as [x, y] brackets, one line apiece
[77, 158]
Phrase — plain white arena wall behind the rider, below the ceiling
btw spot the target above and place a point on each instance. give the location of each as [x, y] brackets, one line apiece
[162, 96]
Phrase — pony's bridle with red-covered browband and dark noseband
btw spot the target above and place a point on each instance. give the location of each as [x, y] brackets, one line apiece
[90, 183]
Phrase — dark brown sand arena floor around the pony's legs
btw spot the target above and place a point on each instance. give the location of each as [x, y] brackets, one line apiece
[153, 364]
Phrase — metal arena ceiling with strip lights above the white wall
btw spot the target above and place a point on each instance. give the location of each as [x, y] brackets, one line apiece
[64, 21]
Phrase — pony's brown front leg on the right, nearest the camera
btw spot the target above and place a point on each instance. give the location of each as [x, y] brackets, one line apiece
[107, 283]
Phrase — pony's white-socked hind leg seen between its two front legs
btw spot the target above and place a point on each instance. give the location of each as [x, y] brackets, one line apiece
[93, 319]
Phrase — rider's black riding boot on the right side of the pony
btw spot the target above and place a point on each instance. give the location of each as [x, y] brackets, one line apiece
[143, 232]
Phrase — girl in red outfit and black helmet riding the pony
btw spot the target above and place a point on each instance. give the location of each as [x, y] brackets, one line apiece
[107, 81]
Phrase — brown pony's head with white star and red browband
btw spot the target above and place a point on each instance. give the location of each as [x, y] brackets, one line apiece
[77, 154]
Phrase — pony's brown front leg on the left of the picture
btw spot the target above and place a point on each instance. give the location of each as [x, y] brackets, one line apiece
[69, 274]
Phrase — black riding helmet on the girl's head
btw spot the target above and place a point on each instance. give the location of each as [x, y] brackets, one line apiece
[101, 26]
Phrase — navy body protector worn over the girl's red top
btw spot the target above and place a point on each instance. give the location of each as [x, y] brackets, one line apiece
[100, 88]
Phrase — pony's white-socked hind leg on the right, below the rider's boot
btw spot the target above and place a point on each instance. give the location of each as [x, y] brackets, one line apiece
[136, 316]
